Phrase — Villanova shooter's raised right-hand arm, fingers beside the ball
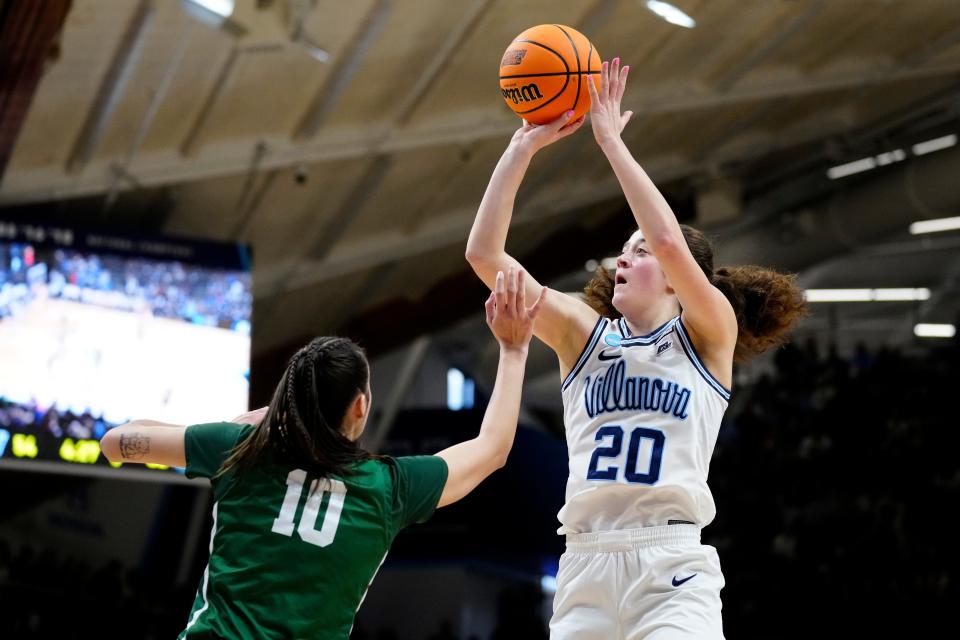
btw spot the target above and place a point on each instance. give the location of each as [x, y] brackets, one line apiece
[706, 311]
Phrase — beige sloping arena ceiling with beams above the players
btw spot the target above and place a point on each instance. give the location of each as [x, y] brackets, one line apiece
[350, 142]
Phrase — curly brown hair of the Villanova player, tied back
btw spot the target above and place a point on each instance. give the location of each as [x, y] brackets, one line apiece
[767, 303]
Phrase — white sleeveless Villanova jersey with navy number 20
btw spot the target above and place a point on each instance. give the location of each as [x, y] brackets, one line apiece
[642, 415]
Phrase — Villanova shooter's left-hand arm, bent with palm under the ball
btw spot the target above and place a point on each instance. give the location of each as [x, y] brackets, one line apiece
[565, 322]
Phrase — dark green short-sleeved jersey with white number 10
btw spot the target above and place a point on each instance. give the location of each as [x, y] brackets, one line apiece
[292, 555]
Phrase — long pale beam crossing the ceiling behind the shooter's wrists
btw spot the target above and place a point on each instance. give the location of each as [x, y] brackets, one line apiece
[231, 160]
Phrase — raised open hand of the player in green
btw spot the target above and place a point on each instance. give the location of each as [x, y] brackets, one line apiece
[508, 316]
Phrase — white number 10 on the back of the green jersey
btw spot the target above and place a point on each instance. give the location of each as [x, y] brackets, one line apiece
[308, 519]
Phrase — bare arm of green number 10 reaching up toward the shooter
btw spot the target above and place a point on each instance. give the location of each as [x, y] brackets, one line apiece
[470, 462]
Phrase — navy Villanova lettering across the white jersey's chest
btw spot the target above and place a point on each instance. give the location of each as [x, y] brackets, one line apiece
[612, 390]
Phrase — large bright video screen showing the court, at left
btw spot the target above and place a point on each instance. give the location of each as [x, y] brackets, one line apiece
[99, 328]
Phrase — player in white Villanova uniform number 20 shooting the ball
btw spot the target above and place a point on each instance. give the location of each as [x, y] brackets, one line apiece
[646, 363]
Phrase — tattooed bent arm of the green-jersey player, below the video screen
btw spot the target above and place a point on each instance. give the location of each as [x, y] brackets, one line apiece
[146, 442]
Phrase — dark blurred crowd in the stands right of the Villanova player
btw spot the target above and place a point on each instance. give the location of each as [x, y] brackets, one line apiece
[835, 479]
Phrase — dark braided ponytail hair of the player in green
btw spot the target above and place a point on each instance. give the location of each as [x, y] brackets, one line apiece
[302, 424]
